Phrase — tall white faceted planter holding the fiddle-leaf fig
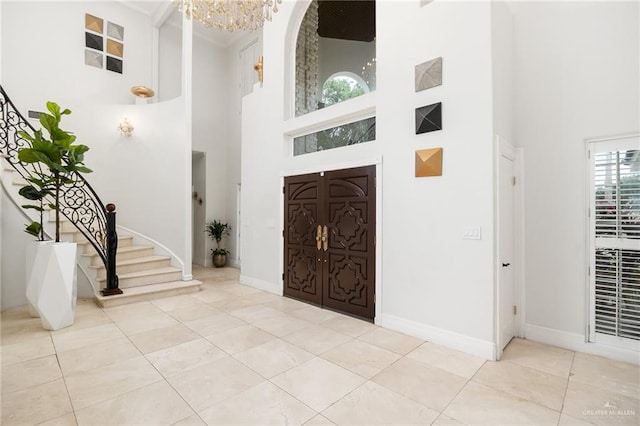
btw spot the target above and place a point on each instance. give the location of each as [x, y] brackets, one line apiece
[52, 284]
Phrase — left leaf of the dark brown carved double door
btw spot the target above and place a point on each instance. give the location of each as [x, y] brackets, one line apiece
[302, 279]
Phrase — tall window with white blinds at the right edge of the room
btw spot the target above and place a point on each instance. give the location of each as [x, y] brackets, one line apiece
[615, 249]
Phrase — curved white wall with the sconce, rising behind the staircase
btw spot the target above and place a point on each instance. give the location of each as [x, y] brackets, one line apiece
[141, 174]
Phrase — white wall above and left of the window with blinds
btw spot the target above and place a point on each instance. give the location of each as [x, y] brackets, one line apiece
[576, 71]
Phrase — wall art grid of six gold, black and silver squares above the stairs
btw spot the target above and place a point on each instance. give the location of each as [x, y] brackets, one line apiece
[104, 44]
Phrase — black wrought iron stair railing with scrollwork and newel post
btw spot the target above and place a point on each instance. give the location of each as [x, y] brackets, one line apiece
[79, 202]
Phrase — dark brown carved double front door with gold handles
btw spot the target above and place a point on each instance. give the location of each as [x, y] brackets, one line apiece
[329, 240]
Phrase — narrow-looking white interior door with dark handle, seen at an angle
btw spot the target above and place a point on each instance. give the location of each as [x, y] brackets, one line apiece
[506, 320]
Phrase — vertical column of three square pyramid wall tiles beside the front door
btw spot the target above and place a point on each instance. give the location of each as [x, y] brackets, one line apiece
[428, 118]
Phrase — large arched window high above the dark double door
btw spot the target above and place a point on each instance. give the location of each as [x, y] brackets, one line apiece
[335, 52]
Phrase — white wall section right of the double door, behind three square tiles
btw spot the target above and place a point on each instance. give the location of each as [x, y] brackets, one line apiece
[432, 277]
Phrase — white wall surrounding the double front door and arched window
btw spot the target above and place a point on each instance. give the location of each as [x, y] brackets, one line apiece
[432, 280]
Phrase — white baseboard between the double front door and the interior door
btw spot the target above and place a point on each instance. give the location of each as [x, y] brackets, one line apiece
[460, 342]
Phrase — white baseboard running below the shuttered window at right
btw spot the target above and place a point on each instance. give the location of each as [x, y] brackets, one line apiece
[576, 342]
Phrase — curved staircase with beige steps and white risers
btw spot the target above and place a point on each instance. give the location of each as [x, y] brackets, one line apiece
[143, 273]
